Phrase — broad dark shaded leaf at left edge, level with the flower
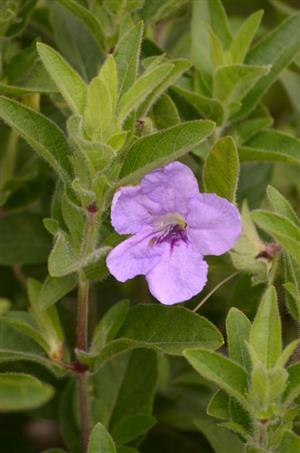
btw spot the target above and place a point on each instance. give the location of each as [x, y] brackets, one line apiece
[23, 239]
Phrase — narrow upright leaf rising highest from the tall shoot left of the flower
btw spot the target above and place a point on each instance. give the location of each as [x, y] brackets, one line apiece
[127, 57]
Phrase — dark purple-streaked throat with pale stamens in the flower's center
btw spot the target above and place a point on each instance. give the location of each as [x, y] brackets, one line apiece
[170, 228]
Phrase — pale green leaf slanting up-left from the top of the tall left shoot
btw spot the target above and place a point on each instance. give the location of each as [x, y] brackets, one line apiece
[68, 82]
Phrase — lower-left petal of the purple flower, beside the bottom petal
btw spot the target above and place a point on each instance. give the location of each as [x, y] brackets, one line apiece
[134, 256]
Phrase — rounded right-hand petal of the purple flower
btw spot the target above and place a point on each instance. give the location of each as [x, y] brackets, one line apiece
[214, 224]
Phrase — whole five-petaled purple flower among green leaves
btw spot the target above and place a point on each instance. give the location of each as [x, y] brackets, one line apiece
[173, 227]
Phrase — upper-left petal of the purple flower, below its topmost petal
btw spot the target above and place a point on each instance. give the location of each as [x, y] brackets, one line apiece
[132, 211]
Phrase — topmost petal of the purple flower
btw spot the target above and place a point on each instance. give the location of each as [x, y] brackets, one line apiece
[171, 186]
